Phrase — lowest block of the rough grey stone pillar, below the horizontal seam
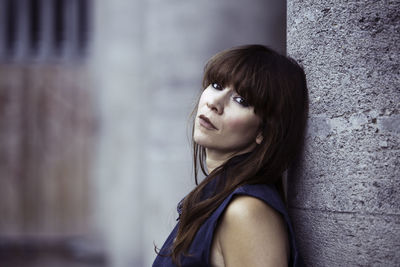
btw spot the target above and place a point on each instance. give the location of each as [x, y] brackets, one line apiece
[347, 239]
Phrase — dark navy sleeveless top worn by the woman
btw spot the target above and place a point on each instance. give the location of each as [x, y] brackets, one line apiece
[200, 249]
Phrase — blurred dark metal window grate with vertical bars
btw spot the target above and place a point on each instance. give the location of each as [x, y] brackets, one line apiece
[43, 30]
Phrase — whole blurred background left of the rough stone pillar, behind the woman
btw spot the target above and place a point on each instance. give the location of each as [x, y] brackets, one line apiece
[95, 103]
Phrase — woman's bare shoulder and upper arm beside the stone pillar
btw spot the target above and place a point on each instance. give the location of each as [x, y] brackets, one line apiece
[251, 233]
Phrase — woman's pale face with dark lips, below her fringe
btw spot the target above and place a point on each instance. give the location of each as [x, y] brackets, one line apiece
[224, 122]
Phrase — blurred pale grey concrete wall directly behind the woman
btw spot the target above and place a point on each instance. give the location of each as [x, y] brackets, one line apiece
[147, 63]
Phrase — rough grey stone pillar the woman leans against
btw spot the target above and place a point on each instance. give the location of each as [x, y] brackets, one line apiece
[345, 191]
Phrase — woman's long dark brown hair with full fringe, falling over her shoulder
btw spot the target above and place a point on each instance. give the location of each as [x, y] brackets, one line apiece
[275, 85]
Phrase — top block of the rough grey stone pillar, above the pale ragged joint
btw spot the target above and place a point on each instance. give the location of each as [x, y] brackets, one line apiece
[354, 60]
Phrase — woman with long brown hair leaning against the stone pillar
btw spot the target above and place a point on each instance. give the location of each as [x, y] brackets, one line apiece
[248, 129]
